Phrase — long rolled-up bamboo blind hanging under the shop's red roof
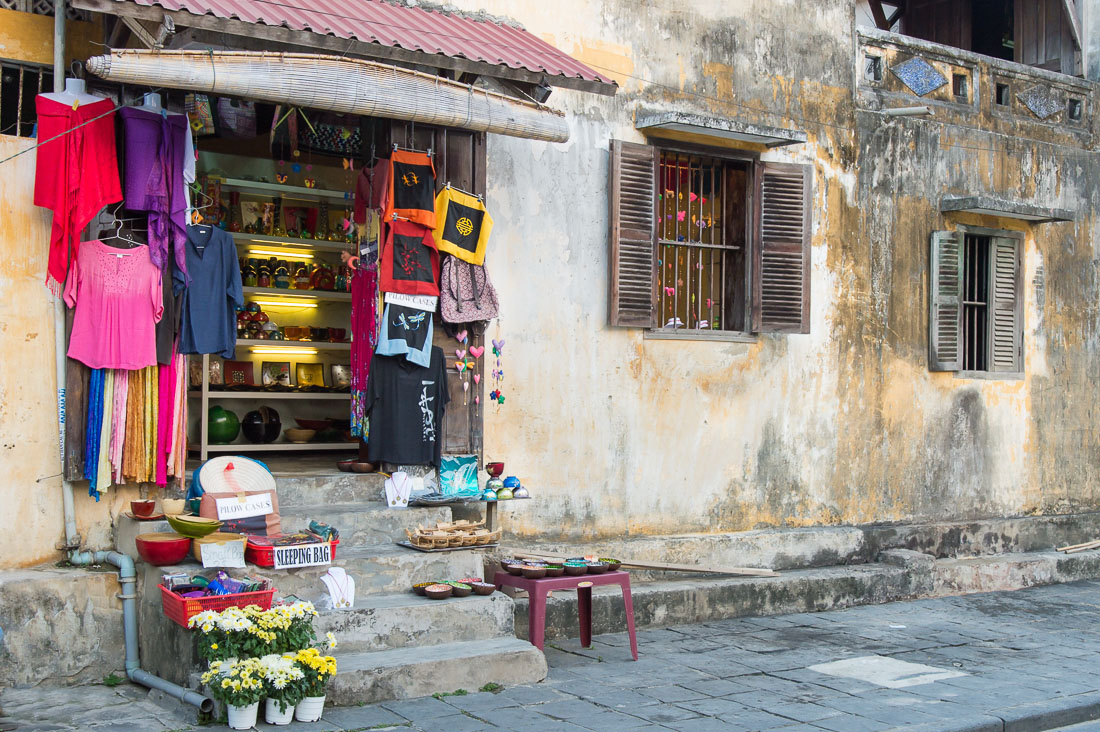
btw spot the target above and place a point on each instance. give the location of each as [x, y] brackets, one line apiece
[334, 84]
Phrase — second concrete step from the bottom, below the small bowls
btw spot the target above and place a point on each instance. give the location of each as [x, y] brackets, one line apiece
[380, 622]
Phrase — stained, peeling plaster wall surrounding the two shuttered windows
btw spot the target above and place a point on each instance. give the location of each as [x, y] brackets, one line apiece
[615, 434]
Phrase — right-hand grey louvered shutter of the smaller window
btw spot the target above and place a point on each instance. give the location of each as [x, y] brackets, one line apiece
[1006, 324]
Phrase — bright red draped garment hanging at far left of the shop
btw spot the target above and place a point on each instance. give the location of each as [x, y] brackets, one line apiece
[76, 174]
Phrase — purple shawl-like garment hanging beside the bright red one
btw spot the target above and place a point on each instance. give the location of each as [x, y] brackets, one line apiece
[155, 180]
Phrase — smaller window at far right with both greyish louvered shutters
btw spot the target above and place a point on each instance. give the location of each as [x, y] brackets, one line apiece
[976, 322]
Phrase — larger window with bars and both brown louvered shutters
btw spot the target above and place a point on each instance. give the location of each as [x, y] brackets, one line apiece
[705, 244]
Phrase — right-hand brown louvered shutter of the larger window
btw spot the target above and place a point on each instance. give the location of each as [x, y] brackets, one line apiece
[782, 290]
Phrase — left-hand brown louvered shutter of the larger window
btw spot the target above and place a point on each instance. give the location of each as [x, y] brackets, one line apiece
[633, 236]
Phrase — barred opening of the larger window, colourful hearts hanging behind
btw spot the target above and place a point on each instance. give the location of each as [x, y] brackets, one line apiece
[692, 243]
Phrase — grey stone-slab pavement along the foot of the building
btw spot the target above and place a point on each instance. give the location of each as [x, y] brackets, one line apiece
[999, 662]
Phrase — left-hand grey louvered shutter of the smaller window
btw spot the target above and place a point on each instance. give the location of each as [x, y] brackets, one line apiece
[945, 315]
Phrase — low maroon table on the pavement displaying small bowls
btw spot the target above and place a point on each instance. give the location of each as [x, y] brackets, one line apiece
[538, 589]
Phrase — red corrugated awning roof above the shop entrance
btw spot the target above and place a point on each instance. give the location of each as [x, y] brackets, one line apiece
[379, 29]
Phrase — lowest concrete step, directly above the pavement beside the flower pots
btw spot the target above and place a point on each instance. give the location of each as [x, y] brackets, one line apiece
[410, 673]
